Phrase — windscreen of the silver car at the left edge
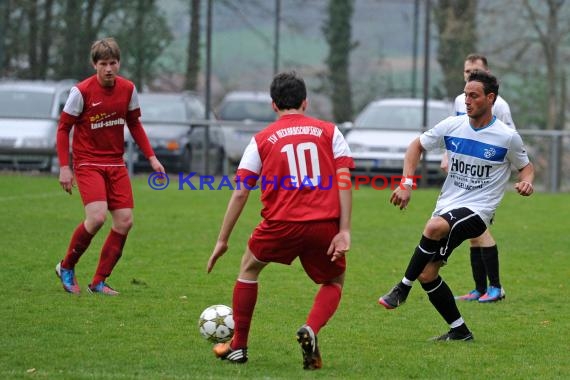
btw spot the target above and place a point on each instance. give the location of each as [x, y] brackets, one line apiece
[16, 103]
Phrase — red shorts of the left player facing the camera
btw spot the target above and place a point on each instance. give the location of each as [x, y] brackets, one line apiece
[110, 184]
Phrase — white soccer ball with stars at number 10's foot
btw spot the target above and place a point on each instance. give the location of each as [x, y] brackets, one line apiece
[216, 323]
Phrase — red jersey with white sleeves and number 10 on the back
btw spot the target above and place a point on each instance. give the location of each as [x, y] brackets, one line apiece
[294, 162]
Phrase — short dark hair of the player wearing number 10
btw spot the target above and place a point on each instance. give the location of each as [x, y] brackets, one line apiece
[288, 90]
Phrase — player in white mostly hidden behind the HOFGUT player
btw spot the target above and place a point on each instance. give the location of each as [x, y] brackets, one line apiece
[484, 254]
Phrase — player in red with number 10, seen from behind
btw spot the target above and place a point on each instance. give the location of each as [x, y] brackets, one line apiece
[302, 166]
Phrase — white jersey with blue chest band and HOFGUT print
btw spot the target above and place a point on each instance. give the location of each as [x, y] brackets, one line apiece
[479, 163]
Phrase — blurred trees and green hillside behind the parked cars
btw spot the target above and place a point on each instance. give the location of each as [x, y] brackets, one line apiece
[376, 49]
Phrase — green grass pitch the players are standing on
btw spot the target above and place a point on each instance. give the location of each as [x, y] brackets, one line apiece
[150, 331]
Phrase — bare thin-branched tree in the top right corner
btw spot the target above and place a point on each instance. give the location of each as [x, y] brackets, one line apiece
[531, 56]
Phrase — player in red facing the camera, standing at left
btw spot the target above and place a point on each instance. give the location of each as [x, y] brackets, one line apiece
[98, 109]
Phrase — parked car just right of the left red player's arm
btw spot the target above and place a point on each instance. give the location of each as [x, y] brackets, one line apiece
[172, 124]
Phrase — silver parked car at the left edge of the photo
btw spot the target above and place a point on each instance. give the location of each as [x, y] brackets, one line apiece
[29, 113]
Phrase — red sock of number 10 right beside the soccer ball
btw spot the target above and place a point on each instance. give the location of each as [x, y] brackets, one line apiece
[244, 299]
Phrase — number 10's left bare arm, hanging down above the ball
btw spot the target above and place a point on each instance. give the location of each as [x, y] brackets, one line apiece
[235, 207]
